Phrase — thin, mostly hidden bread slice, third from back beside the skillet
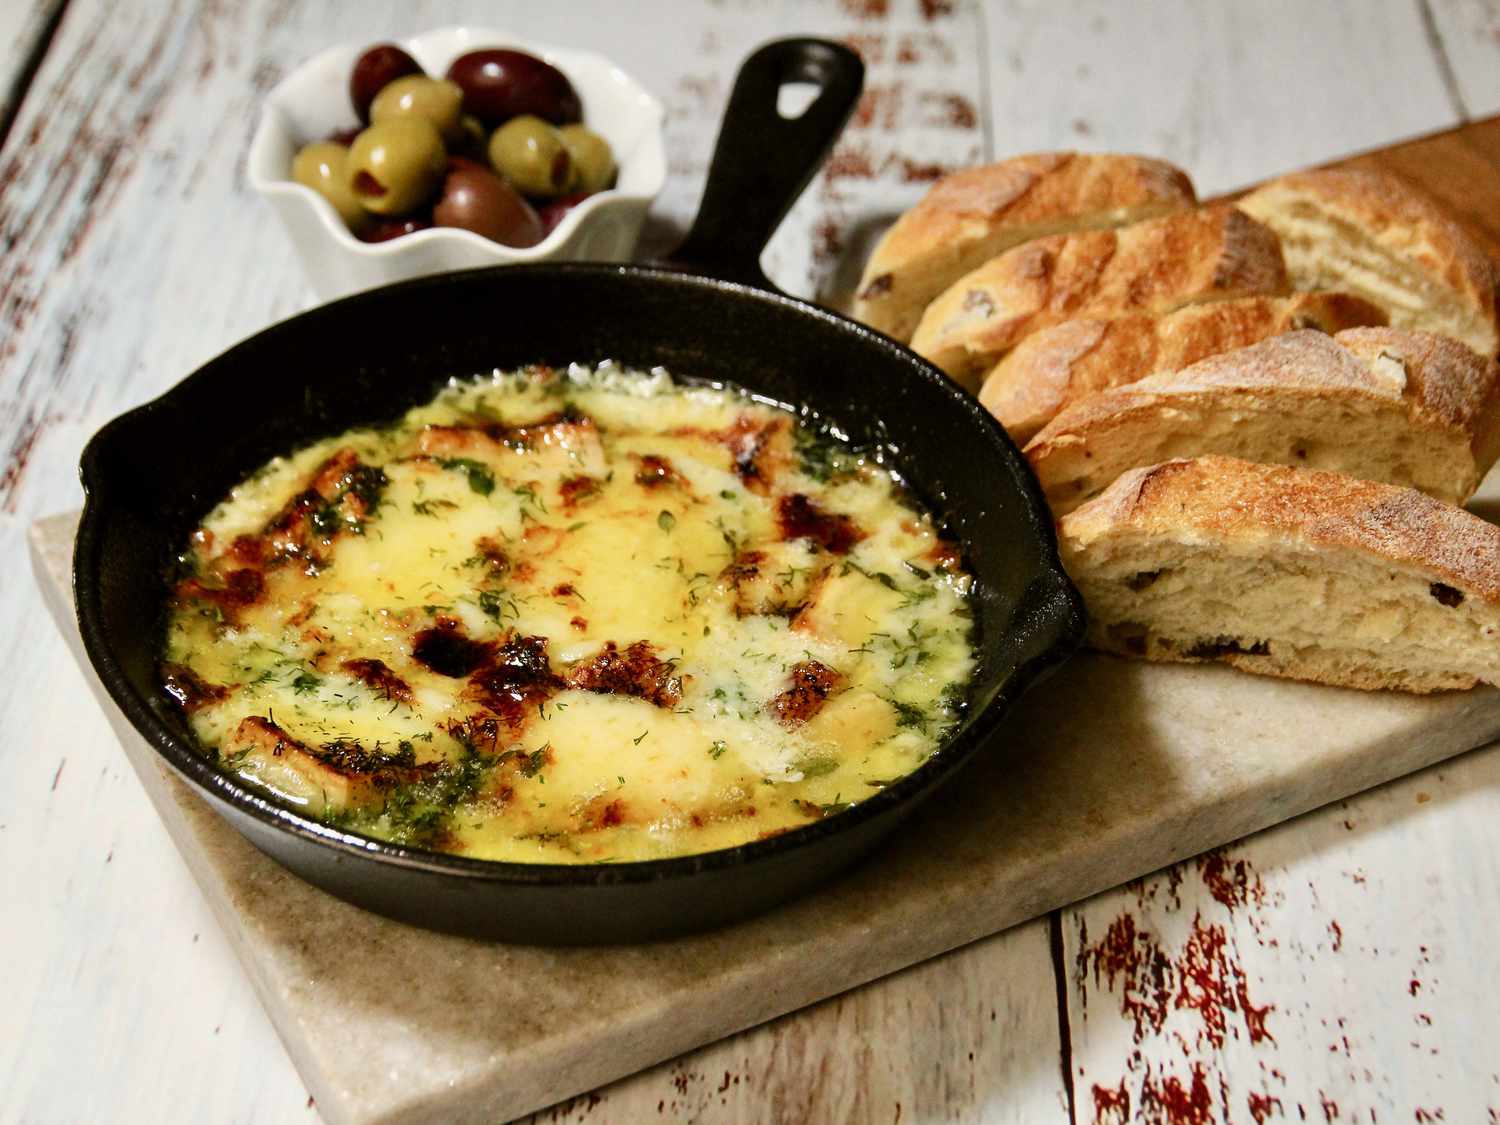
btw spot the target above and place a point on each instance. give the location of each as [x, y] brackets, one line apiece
[1055, 368]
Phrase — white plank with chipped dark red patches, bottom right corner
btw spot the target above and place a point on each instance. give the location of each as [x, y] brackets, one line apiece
[1337, 968]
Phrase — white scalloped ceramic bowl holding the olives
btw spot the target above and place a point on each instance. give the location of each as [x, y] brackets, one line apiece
[314, 103]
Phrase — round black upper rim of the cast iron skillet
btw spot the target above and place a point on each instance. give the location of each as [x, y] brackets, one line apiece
[1063, 614]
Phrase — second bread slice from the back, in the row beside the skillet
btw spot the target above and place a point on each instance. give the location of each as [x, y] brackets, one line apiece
[1153, 268]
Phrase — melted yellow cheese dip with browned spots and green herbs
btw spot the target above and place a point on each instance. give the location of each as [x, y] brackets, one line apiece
[572, 617]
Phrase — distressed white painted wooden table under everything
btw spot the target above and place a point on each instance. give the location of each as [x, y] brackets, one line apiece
[1339, 968]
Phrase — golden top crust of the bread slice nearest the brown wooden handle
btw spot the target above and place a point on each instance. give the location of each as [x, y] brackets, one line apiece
[1400, 218]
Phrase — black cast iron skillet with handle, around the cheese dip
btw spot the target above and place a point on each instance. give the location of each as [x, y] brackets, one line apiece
[154, 473]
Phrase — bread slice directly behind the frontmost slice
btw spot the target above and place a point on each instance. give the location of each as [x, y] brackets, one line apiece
[1403, 407]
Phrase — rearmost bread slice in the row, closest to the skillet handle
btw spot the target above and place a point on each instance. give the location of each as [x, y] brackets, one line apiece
[971, 217]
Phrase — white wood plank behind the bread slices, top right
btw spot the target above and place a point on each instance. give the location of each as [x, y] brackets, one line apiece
[1231, 92]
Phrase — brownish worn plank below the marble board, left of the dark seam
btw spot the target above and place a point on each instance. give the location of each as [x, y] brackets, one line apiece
[967, 1037]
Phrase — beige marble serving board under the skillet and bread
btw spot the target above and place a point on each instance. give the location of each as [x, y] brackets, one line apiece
[1111, 770]
